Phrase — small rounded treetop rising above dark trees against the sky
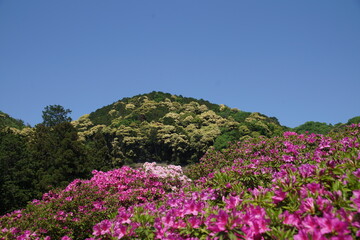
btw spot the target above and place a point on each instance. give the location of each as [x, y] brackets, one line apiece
[55, 114]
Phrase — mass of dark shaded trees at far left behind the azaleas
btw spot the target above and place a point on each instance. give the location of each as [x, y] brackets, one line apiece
[36, 160]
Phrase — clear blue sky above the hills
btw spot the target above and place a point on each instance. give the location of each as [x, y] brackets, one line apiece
[296, 60]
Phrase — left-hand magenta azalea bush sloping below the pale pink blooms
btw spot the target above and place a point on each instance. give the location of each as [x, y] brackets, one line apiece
[72, 212]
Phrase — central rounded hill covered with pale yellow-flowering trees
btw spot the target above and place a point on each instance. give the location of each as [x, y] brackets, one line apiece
[168, 128]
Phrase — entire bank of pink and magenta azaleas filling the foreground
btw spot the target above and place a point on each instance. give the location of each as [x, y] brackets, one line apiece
[298, 186]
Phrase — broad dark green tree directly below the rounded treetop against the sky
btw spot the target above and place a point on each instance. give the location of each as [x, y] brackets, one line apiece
[57, 156]
